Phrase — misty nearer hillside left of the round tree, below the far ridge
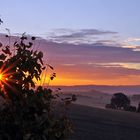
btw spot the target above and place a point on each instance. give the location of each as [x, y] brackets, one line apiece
[93, 98]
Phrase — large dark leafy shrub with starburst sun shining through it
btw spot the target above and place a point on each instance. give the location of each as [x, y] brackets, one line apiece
[28, 112]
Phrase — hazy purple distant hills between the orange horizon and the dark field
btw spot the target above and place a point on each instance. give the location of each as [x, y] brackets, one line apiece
[99, 95]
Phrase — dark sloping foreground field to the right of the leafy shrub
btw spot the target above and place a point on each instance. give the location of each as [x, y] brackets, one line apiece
[102, 124]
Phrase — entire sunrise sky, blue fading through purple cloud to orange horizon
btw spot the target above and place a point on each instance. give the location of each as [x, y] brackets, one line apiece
[87, 41]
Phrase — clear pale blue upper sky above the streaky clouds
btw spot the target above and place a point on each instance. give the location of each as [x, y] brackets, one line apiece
[39, 16]
